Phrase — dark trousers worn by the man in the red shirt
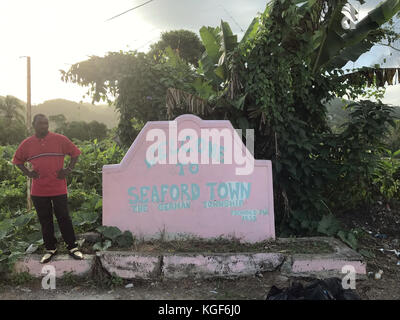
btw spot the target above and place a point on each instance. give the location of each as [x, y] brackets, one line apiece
[44, 207]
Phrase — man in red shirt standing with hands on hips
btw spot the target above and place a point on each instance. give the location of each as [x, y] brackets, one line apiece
[46, 151]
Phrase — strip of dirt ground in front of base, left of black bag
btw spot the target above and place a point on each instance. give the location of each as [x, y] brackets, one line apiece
[254, 288]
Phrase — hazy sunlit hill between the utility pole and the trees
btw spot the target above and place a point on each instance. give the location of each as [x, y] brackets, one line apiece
[74, 111]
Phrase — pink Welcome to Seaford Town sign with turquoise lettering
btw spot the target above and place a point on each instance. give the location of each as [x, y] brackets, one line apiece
[190, 178]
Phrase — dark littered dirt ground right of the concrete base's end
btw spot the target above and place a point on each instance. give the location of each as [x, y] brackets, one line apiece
[378, 230]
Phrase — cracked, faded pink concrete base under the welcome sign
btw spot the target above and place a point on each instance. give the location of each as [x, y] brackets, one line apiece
[135, 265]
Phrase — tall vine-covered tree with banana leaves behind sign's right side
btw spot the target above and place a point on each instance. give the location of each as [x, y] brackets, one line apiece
[278, 82]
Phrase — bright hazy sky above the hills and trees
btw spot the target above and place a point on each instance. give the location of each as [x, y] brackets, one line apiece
[57, 34]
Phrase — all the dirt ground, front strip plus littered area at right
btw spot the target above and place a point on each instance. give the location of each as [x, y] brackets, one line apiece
[378, 232]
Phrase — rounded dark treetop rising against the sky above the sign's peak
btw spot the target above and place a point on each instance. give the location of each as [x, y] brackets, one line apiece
[185, 43]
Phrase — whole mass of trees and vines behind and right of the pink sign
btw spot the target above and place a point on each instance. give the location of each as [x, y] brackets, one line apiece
[277, 80]
